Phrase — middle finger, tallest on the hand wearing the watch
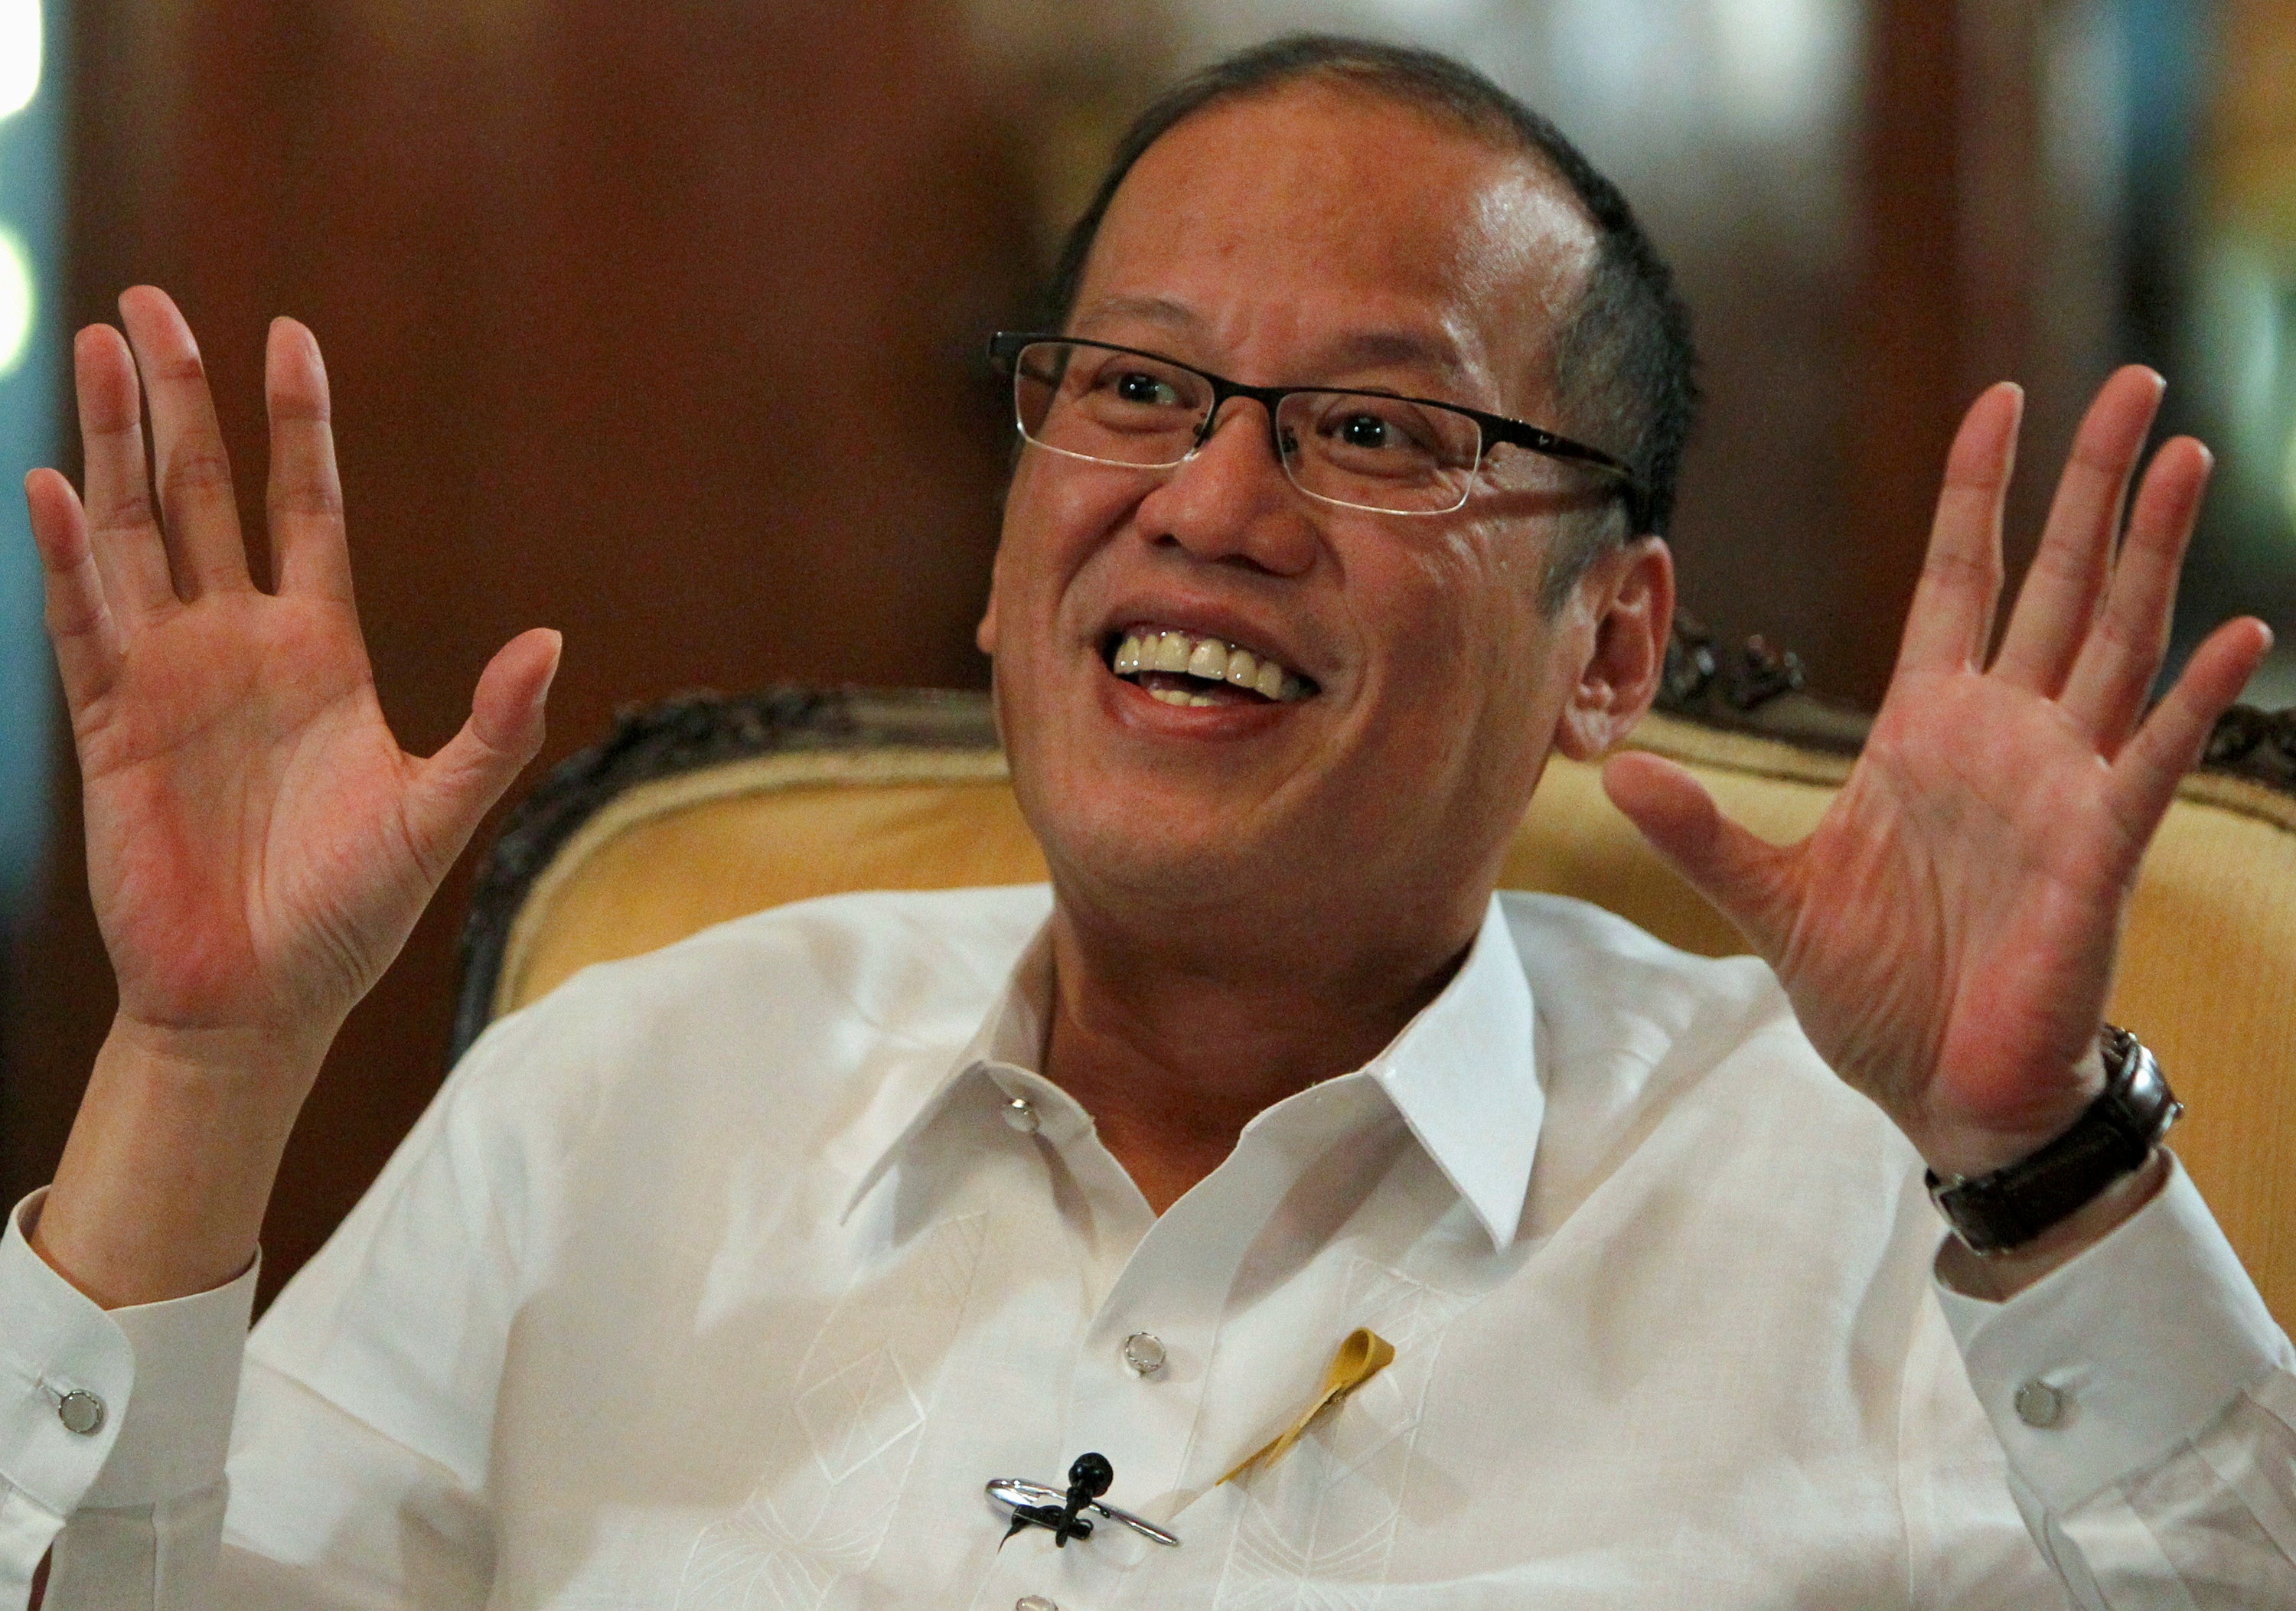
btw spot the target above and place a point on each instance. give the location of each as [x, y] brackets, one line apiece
[2068, 579]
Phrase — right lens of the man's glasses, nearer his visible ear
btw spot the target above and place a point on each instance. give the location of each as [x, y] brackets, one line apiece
[1379, 453]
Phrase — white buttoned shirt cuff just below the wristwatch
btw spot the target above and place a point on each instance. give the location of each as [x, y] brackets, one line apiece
[2120, 1357]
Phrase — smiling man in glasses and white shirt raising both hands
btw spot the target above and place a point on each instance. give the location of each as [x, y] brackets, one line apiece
[731, 1275]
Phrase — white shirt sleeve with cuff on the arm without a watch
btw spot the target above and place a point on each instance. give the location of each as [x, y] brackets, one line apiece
[332, 1461]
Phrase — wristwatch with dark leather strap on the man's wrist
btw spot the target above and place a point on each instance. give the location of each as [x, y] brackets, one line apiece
[2113, 1137]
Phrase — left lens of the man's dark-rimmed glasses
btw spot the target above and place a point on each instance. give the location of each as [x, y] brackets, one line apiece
[1110, 407]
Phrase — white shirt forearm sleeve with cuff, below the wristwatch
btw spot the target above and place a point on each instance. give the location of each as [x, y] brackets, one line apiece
[2148, 1410]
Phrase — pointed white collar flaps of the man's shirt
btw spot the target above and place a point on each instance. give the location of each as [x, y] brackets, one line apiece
[1464, 1075]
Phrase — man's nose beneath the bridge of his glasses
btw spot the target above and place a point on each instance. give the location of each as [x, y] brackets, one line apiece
[1232, 499]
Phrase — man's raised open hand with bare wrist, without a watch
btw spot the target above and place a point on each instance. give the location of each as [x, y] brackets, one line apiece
[258, 843]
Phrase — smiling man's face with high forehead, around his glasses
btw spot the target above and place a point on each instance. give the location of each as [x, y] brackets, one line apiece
[1308, 238]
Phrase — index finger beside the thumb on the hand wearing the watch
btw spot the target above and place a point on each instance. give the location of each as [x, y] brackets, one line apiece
[1953, 607]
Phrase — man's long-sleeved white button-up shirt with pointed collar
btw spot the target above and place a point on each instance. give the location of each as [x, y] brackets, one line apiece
[727, 1277]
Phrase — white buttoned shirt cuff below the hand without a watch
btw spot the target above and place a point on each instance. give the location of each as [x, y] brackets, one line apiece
[114, 1408]
